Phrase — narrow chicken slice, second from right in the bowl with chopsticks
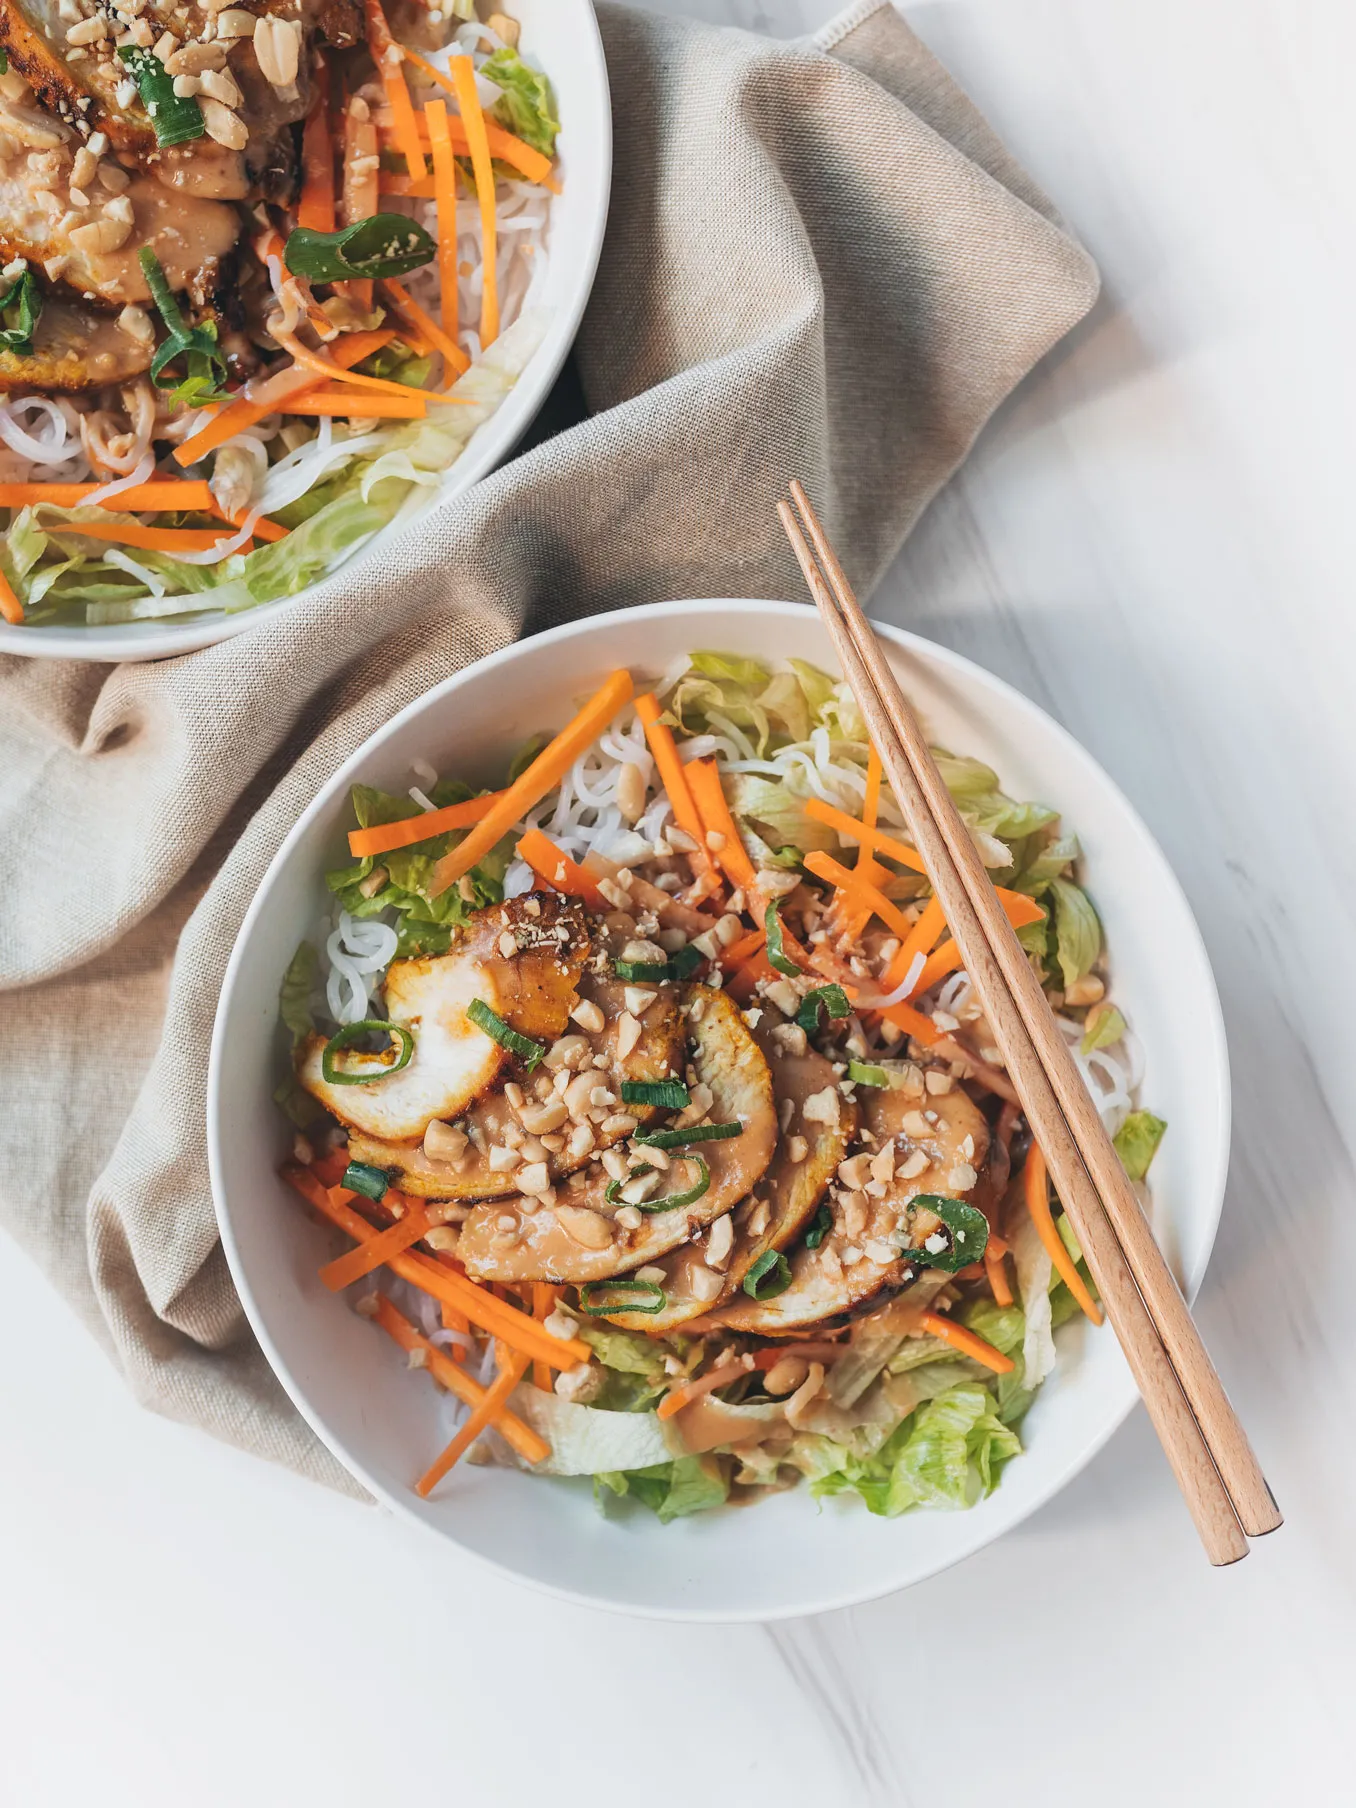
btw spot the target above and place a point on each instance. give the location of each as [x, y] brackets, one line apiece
[710, 1270]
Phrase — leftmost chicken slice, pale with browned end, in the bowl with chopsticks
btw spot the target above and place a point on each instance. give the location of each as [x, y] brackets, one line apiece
[520, 959]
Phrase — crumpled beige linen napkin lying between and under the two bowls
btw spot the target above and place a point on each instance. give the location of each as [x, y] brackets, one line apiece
[820, 263]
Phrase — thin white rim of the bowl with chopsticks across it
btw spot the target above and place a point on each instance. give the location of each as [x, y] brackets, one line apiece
[1118, 1408]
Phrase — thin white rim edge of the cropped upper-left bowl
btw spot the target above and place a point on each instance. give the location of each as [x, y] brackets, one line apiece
[491, 446]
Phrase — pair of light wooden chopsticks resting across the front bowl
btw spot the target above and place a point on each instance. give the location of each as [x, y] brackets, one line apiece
[1201, 1436]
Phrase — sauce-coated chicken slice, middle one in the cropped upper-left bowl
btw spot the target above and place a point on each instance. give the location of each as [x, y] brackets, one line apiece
[91, 245]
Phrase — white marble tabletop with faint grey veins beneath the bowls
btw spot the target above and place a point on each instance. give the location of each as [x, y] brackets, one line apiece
[1154, 541]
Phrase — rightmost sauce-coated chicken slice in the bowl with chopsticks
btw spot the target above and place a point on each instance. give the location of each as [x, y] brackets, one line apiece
[860, 1263]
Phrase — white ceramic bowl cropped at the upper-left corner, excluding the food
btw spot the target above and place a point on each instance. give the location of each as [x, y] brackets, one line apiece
[563, 39]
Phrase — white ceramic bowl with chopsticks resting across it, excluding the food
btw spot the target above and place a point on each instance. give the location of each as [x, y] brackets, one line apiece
[786, 1556]
